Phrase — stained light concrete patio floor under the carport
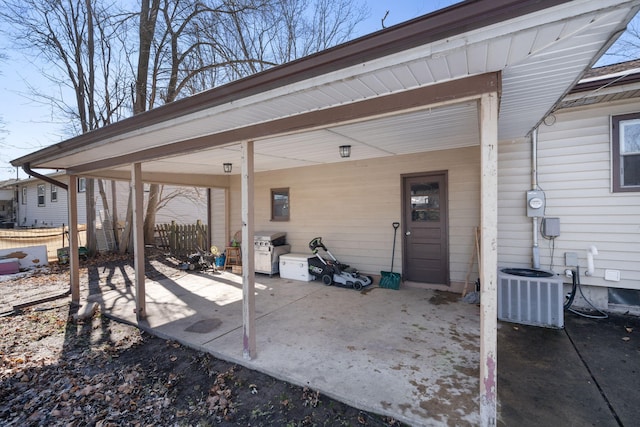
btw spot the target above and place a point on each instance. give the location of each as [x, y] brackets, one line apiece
[411, 354]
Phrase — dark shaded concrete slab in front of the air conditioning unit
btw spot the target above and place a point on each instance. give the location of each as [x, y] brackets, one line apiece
[587, 374]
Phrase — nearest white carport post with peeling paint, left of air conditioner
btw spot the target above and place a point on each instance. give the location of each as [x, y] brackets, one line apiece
[489, 257]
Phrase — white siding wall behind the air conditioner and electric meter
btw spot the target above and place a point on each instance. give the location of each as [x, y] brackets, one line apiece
[574, 170]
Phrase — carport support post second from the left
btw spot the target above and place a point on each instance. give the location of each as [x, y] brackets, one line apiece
[138, 239]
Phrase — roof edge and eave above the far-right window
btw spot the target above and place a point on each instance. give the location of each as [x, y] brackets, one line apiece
[606, 84]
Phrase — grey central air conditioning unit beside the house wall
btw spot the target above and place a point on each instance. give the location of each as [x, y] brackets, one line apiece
[530, 297]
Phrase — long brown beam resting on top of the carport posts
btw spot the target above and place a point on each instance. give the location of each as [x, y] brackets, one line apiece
[428, 96]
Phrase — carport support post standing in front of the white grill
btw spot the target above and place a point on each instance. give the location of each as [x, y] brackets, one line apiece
[248, 276]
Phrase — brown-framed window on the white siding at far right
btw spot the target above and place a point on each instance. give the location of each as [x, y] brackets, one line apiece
[625, 150]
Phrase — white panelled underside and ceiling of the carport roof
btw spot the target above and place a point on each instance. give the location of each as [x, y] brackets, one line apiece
[540, 56]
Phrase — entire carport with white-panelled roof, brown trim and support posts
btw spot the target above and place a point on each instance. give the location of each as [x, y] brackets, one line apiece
[475, 74]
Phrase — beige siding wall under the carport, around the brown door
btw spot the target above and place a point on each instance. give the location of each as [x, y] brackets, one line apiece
[352, 206]
